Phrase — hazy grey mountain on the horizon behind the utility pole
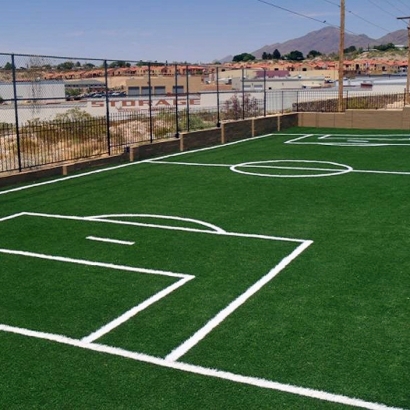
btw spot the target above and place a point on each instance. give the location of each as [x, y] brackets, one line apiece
[327, 41]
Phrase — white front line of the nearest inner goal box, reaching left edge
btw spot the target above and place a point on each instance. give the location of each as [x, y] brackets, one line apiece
[92, 263]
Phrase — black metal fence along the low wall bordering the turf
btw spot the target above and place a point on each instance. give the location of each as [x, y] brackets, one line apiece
[56, 109]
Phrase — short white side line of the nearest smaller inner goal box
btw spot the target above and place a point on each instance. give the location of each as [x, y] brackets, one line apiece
[132, 312]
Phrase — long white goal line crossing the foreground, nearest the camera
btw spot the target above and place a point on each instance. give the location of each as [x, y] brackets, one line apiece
[204, 371]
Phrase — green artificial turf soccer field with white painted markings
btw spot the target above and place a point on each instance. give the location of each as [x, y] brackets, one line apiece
[270, 273]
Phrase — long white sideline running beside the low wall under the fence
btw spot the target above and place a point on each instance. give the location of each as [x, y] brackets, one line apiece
[67, 178]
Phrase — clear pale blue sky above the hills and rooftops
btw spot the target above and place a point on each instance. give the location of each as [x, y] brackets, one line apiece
[193, 31]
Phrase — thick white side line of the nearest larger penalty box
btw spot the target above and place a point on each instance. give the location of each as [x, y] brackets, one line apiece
[223, 314]
